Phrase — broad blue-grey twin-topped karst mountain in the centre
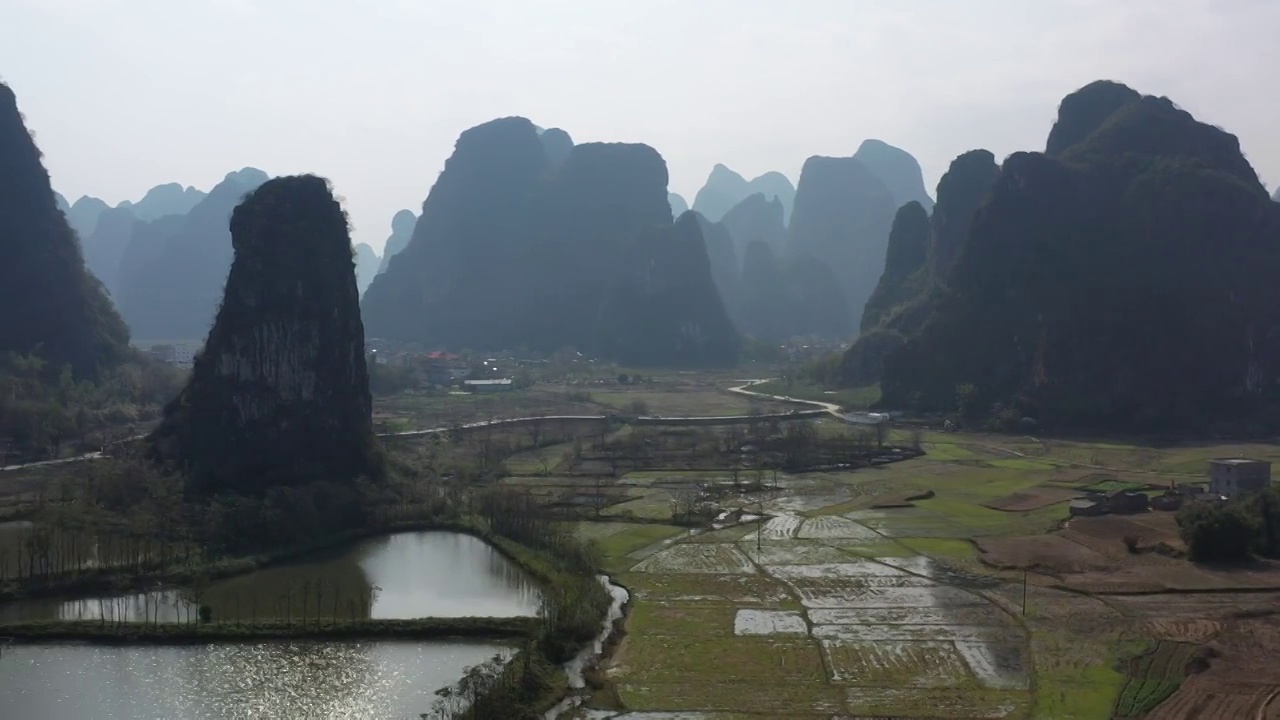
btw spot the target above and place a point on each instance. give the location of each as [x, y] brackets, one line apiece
[511, 253]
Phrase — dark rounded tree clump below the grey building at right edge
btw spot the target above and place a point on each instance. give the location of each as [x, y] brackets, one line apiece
[1233, 531]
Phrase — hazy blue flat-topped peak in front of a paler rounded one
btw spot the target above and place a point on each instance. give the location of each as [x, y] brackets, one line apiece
[843, 218]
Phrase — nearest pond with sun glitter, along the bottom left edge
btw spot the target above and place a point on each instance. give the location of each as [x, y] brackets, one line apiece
[267, 680]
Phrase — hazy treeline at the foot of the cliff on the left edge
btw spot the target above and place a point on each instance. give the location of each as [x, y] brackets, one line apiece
[44, 409]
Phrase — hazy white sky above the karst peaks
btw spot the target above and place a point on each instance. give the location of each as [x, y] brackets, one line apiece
[129, 94]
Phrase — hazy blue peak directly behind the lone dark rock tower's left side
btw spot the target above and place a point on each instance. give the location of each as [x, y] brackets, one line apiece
[171, 282]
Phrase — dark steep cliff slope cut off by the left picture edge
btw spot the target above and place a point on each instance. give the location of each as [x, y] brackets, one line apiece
[49, 303]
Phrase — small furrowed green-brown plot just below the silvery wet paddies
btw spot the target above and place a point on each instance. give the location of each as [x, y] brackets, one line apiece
[903, 666]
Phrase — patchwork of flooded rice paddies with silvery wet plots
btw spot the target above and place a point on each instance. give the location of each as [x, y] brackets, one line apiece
[893, 636]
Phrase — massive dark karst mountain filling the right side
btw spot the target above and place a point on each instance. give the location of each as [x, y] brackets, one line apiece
[1123, 281]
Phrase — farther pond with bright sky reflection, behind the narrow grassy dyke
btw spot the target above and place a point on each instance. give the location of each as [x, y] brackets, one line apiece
[403, 576]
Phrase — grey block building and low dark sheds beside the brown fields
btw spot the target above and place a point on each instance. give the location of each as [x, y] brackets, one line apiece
[1228, 479]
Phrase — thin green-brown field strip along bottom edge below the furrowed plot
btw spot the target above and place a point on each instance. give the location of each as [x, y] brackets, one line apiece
[936, 703]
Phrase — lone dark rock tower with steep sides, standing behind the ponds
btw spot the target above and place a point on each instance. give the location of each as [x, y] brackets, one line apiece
[280, 397]
